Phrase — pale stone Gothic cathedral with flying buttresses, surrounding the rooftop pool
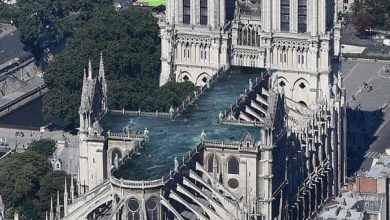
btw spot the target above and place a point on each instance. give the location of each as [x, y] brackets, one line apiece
[297, 103]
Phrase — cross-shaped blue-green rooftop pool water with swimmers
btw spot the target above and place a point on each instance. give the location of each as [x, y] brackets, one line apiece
[170, 139]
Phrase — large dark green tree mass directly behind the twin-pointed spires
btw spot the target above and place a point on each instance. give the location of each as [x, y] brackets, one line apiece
[131, 47]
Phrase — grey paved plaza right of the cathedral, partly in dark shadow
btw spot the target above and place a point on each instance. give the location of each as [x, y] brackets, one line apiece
[369, 128]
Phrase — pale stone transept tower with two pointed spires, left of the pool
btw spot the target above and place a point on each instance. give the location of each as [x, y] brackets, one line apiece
[92, 162]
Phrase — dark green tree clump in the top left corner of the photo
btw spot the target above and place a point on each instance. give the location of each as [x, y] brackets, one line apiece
[44, 24]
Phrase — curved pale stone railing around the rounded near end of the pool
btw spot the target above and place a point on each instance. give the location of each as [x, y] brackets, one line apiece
[141, 184]
